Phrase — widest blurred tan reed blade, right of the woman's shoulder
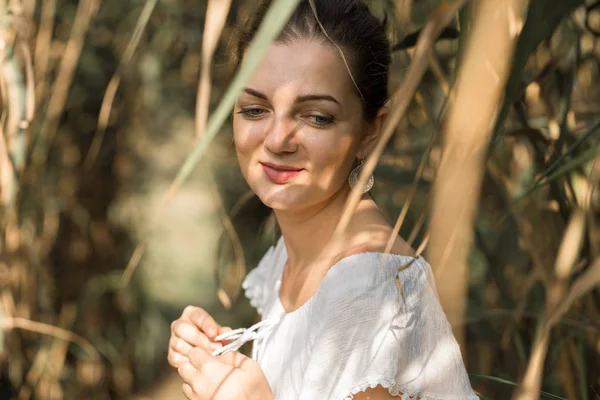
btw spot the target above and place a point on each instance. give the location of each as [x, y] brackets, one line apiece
[467, 132]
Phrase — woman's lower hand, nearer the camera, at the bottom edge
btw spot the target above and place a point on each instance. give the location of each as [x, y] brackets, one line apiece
[229, 376]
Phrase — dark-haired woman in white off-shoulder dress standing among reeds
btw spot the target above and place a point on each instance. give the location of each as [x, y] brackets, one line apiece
[335, 324]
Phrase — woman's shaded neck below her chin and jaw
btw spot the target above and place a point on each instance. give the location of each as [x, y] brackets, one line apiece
[308, 232]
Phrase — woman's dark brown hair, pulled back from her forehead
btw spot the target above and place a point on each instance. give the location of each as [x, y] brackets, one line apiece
[350, 26]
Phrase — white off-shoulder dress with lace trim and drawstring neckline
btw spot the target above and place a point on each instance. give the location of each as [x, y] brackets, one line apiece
[358, 331]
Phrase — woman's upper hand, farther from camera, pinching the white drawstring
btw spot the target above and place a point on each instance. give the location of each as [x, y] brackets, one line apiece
[195, 328]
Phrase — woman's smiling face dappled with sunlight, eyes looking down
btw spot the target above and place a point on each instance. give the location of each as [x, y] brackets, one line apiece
[298, 126]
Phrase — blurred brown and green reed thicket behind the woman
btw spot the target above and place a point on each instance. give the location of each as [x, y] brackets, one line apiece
[99, 113]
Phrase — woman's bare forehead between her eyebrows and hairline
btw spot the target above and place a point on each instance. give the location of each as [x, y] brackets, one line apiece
[302, 66]
